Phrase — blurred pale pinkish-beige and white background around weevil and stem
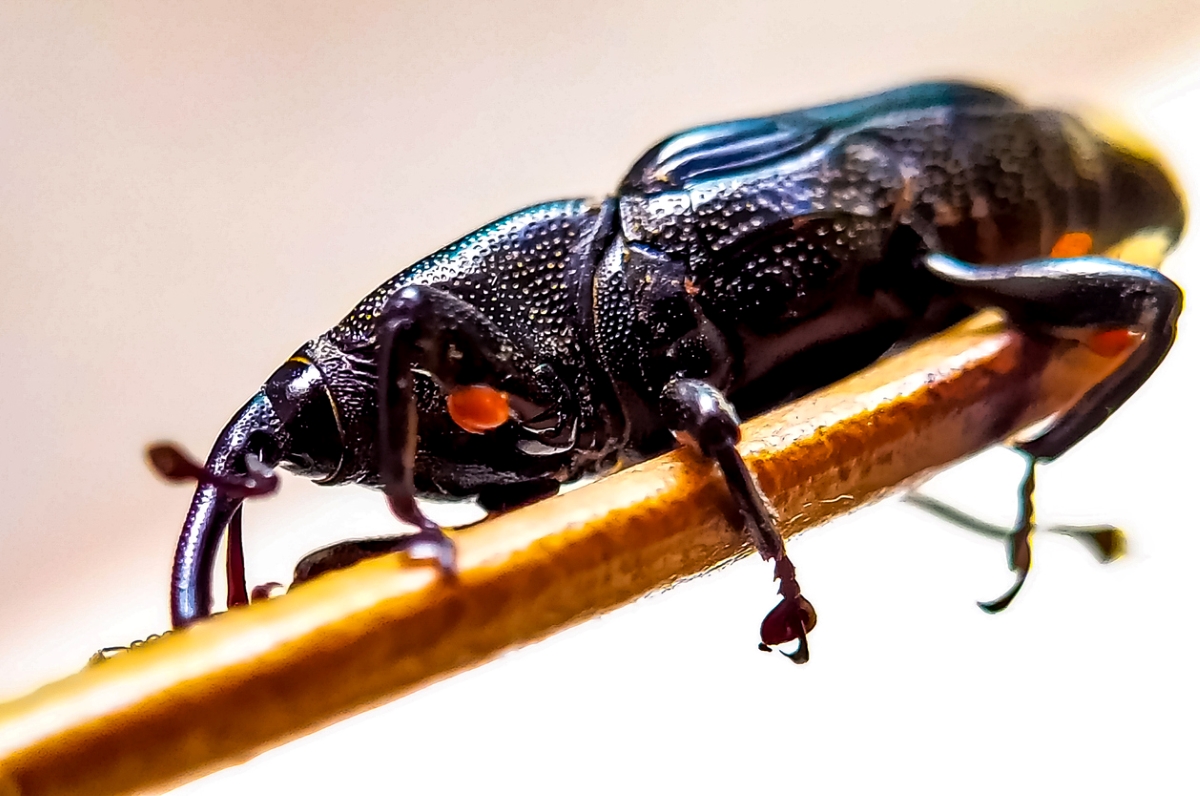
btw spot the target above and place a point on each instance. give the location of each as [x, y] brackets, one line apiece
[189, 191]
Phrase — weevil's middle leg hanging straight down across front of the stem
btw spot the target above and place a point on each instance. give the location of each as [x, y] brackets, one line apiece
[701, 416]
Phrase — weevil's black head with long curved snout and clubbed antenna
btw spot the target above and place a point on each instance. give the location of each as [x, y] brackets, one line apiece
[290, 421]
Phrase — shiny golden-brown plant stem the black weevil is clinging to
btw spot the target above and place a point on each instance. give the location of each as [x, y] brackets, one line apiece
[243, 683]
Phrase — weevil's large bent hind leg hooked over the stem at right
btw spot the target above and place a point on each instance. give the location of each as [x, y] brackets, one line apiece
[1114, 303]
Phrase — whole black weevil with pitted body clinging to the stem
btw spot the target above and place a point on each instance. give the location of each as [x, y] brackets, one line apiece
[737, 266]
